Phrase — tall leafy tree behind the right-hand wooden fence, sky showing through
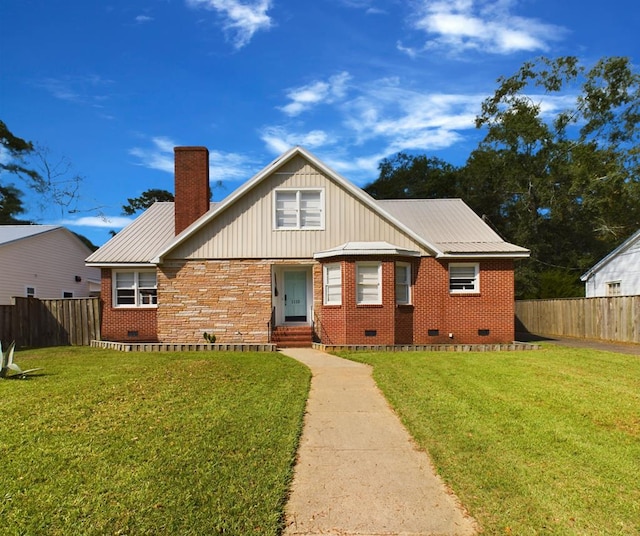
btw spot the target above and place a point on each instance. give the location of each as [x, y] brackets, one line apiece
[568, 181]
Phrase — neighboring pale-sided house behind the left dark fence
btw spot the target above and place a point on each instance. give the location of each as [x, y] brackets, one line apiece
[44, 261]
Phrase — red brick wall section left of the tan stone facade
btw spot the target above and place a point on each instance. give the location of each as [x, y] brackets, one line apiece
[125, 324]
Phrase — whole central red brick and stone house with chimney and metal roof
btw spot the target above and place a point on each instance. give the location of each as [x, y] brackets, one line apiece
[299, 246]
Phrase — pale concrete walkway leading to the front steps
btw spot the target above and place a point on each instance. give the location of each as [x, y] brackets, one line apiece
[358, 471]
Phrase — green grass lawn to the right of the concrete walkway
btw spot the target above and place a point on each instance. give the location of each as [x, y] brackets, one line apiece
[540, 442]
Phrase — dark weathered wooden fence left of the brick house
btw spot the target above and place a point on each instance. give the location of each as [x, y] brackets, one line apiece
[36, 323]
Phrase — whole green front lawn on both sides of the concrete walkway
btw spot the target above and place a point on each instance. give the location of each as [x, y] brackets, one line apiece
[102, 442]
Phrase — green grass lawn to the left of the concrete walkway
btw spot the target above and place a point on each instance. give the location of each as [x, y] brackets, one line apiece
[104, 442]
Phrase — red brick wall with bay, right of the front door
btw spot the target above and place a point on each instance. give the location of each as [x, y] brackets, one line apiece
[433, 307]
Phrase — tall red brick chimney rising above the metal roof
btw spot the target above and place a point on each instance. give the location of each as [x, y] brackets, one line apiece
[192, 185]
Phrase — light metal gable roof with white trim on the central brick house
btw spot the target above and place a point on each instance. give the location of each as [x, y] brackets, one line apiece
[445, 227]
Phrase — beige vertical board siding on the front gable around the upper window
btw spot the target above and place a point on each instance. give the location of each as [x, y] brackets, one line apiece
[245, 229]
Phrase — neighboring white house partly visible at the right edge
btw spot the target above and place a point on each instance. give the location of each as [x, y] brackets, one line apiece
[618, 274]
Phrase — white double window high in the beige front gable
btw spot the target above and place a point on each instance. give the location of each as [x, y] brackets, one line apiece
[299, 209]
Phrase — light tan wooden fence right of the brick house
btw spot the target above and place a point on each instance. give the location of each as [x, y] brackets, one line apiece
[610, 319]
